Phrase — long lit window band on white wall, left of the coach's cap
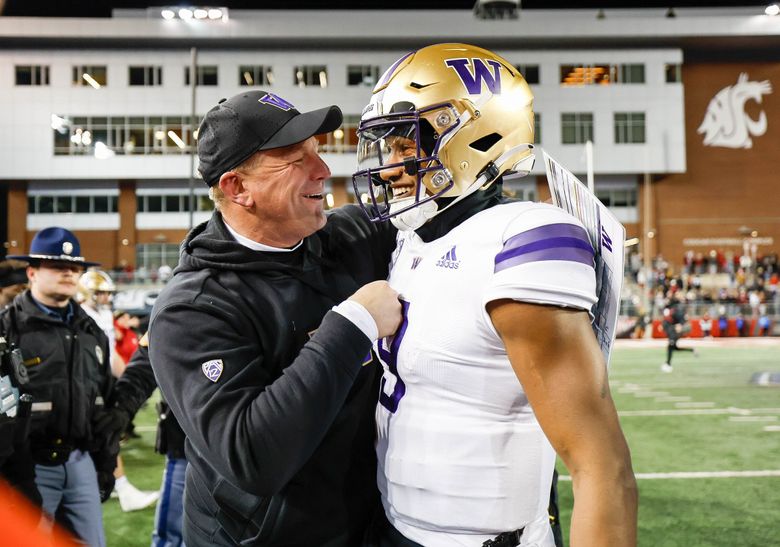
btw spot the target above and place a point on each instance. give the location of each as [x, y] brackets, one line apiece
[131, 135]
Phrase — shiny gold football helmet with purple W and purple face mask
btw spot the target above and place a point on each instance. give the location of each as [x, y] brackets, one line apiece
[443, 122]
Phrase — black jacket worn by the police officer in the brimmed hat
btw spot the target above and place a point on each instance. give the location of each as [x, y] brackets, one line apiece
[70, 378]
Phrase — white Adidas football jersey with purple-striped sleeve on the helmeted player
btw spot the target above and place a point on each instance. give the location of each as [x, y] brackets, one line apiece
[461, 455]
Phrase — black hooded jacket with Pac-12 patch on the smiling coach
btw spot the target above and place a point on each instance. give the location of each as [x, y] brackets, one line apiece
[278, 418]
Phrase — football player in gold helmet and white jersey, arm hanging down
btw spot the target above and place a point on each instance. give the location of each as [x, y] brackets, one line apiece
[495, 367]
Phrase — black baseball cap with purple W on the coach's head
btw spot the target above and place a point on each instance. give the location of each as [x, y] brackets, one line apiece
[252, 121]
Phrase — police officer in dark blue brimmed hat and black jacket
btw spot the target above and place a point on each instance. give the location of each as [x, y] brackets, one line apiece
[67, 359]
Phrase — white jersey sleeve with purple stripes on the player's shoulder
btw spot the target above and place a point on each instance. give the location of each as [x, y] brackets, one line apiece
[546, 258]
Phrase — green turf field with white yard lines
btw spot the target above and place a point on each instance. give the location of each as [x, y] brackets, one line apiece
[702, 418]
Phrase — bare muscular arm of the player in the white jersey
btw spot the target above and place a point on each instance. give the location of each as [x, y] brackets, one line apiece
[562, 370]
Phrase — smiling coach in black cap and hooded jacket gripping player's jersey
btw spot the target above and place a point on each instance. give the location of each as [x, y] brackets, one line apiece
[261, 341]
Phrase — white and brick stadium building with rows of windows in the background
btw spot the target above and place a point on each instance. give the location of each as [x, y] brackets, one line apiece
[682, 109]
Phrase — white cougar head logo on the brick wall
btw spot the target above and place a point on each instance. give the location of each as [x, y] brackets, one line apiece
[726, 123]
